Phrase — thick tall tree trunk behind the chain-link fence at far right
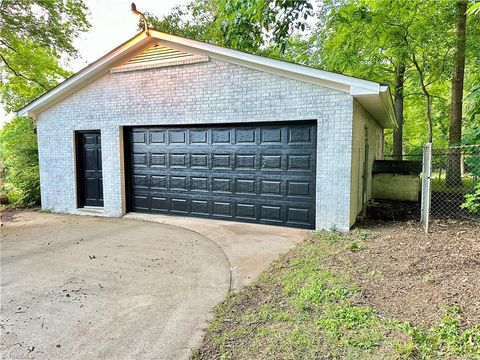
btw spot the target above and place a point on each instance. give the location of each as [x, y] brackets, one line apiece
[454, 176]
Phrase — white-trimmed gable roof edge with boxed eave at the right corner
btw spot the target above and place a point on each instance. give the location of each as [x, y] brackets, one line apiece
[374, 97]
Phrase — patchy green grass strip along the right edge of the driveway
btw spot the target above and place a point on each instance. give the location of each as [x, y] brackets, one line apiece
[303, 308]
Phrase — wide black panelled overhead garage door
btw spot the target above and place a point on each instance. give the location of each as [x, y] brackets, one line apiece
[263, 173]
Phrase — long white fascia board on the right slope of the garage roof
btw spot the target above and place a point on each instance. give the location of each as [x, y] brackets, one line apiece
[321, 77]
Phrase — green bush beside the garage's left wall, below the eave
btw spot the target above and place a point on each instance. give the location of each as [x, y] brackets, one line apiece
[19, 161]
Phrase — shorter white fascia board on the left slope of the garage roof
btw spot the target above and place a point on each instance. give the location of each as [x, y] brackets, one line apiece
[84, 76]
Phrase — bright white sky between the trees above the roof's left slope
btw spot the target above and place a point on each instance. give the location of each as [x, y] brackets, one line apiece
[112, 24]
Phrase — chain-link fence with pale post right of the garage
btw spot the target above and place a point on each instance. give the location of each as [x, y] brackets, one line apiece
[449, 176]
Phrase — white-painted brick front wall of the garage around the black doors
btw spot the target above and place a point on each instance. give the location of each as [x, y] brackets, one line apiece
[204, 93]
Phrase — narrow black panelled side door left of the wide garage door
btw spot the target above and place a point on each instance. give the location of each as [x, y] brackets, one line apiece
[89, 168]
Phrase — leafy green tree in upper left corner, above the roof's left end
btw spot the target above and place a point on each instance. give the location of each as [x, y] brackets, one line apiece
[33, 37]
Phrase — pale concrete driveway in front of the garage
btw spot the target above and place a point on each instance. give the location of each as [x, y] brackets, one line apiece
[77, 287]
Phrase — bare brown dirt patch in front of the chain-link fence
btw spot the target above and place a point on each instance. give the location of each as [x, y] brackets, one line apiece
[413, 276]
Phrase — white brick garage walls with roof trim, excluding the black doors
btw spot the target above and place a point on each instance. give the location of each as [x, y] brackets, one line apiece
[218, 86]
